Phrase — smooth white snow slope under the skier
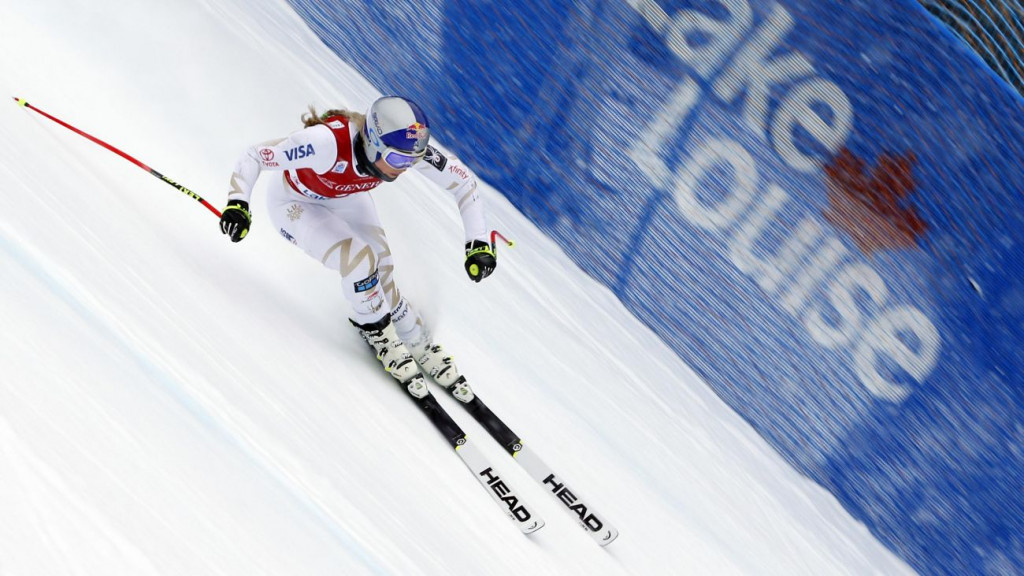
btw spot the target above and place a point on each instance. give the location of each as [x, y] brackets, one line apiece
[176, 404]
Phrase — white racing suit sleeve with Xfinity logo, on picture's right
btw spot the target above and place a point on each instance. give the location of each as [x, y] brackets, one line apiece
[449, 173]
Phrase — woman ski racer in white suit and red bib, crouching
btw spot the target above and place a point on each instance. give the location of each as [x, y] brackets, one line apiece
[321, 205]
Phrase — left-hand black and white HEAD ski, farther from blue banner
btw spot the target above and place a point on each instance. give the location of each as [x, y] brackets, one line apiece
[499, 488]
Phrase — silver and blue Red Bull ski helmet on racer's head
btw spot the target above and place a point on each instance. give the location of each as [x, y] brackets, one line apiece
[398, 131]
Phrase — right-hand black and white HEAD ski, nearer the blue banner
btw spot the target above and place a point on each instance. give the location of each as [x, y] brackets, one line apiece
[583, 512]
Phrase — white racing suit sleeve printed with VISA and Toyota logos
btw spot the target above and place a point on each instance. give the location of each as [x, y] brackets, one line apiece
[313, 148]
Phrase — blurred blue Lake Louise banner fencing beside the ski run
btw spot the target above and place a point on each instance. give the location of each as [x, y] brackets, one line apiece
[816, 203]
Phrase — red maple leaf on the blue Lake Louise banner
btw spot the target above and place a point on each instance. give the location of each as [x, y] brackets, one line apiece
[874, 209]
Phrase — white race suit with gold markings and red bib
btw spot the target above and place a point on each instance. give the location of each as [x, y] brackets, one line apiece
[321, 204]
